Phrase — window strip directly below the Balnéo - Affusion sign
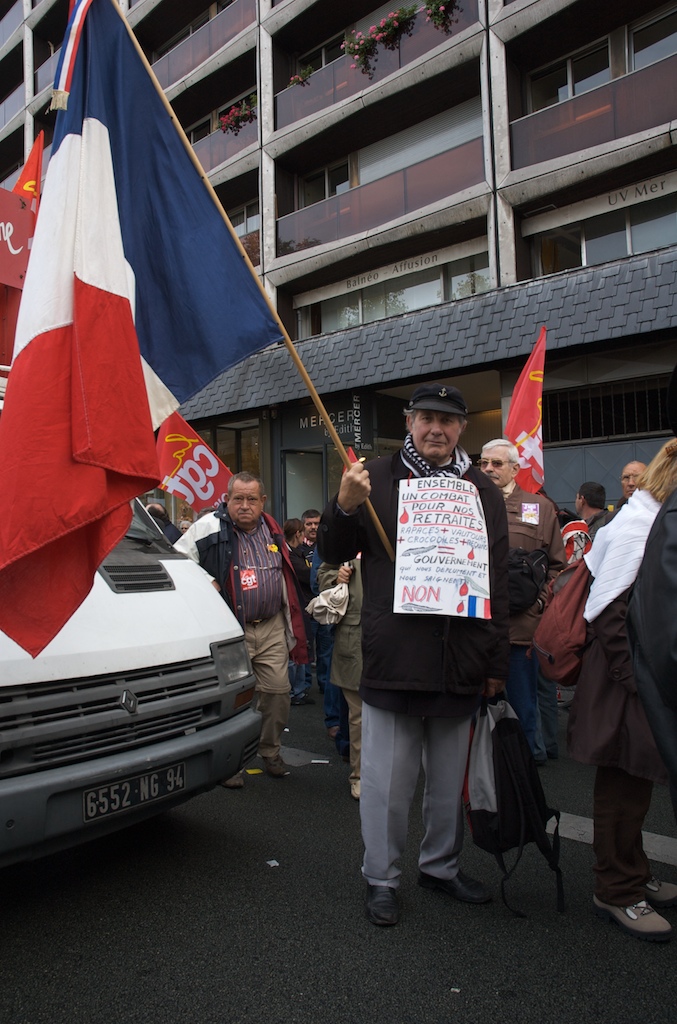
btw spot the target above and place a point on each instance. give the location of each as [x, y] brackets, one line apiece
[398, 295]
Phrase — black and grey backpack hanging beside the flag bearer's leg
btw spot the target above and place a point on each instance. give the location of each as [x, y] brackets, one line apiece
[504, 800]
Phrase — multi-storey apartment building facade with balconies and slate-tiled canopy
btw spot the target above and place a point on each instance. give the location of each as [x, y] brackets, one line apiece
[421, 219]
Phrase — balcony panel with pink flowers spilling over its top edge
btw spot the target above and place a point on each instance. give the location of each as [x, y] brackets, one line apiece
[338, 80]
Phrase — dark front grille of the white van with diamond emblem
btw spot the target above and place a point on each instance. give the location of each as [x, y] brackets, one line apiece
[54, 724]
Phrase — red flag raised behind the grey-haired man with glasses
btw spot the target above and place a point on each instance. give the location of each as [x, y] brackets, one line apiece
[525, 419]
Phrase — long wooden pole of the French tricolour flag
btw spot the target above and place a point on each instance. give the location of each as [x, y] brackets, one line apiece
[288, 343]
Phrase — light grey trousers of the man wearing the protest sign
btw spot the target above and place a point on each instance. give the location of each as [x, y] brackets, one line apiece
[394, 748]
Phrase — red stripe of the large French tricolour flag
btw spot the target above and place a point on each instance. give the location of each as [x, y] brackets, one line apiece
[76, 458]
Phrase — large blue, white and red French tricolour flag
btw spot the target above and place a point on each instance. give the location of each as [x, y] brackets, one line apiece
[137, 296]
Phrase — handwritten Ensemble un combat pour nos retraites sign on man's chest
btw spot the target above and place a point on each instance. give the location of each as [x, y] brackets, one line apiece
[442, 550]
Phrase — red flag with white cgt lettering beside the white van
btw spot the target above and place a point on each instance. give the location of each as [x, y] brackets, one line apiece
[190, 470]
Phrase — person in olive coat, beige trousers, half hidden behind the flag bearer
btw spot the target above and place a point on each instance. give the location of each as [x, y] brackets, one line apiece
[347, 660]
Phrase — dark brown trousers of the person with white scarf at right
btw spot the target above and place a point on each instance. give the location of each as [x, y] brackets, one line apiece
[621, 803]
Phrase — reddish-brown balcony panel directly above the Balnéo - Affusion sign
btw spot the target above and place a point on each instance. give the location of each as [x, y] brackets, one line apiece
[380, 202]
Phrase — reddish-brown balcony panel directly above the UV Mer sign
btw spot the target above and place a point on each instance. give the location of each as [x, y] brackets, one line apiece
[637, 102]
